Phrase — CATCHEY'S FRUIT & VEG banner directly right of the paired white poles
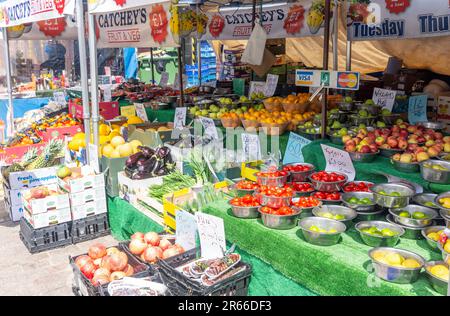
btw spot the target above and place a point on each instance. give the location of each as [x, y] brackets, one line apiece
[138, 27]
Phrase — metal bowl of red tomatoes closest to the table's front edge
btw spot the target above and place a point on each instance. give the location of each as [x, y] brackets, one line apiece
[282, 218]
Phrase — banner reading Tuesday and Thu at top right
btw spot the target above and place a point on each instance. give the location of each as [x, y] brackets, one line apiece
[397, 19]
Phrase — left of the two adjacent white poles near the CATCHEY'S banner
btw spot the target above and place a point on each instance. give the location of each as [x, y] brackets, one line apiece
[83, 72]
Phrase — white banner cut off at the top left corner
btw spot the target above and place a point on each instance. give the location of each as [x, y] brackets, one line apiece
[17, 12]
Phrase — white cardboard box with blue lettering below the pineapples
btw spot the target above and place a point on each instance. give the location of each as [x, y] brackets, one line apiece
[31, 179]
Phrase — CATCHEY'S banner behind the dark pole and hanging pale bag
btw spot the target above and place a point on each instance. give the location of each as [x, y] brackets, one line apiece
[293, 19]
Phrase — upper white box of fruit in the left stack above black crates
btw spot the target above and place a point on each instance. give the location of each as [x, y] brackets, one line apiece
[50, 203]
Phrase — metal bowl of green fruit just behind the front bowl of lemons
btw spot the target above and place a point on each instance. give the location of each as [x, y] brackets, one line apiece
[379, 241]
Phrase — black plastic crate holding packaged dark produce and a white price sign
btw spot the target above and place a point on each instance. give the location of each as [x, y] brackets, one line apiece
[180, 285]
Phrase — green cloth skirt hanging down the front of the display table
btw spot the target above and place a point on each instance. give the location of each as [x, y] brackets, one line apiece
[125, 220]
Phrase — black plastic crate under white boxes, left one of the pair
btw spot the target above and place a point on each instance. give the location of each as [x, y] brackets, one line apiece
[38, 240]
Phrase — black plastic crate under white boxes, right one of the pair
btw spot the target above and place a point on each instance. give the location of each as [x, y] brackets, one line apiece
[90, 228]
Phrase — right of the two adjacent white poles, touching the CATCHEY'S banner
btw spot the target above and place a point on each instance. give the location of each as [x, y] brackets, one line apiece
[94, 79]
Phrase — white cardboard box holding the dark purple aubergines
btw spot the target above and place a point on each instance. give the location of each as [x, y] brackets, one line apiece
[130, 190]
